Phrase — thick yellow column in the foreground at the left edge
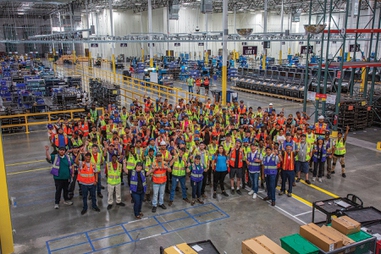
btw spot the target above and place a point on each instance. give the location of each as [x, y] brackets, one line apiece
[6, 234]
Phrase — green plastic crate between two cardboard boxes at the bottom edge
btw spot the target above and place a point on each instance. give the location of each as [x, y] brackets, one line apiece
[296, 244]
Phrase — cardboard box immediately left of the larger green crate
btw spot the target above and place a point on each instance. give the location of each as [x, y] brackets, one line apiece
[261, 244]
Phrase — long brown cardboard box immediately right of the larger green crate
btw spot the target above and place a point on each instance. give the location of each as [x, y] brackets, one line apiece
[315, 235]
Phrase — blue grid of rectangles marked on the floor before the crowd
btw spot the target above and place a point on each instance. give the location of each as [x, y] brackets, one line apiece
[164, 225]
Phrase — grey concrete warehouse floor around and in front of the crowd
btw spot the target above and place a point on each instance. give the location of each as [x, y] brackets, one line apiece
[38, 228]
